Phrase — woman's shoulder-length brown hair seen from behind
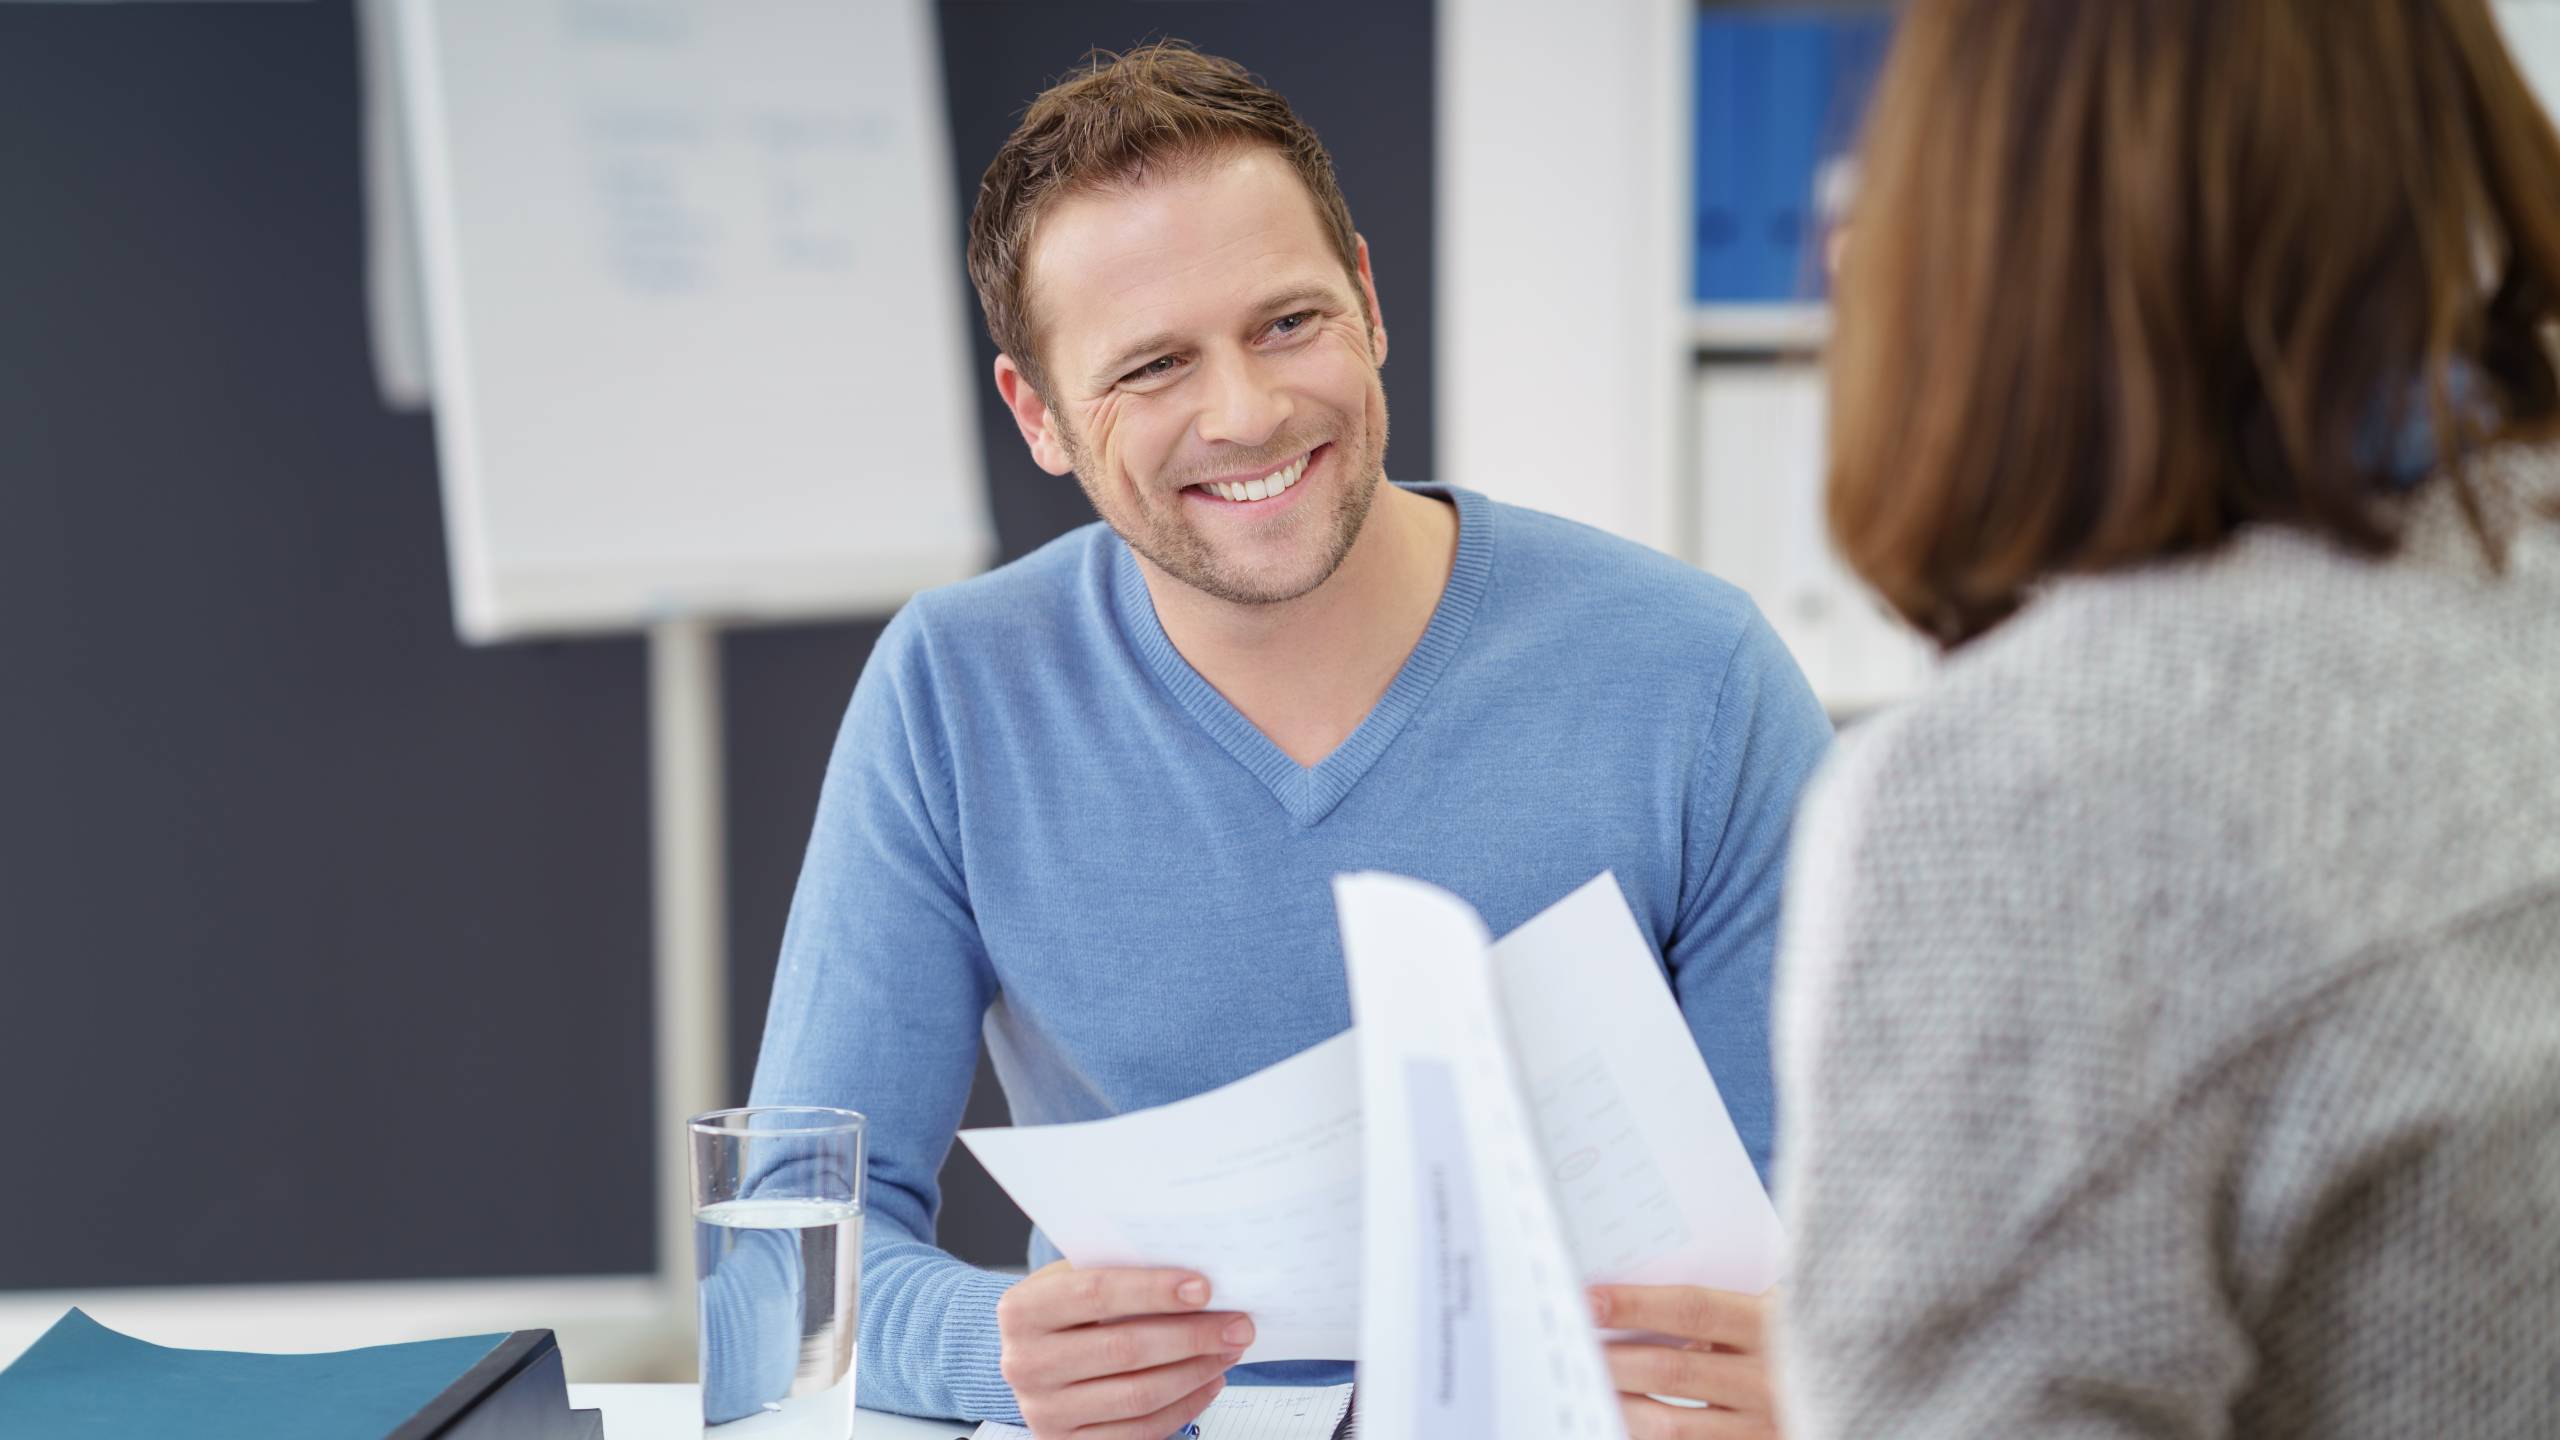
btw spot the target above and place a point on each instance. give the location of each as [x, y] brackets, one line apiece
[2129, 275]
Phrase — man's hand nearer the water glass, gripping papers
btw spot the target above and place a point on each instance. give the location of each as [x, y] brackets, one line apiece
[1115, 1354]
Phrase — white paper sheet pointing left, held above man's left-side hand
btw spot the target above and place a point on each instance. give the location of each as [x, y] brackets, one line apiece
[1256, 1185]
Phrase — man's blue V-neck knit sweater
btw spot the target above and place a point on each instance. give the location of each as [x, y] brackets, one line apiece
[1043, 829]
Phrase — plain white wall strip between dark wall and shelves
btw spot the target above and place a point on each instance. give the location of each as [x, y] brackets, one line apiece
[1563, 258]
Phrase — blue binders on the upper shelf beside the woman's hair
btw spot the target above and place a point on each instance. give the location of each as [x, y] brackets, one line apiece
[1780, 96]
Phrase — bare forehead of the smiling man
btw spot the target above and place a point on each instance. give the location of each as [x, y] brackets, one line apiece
[1176, 250]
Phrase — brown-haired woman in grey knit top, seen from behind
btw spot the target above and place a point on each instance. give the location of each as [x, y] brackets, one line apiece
[2172, 995]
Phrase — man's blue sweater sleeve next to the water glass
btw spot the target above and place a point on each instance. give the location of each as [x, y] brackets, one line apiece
[877, 1006]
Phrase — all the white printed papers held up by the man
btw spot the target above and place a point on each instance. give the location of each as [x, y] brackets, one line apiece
[1432, 1190]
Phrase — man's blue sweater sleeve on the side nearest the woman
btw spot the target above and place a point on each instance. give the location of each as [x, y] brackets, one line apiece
[1765, 742]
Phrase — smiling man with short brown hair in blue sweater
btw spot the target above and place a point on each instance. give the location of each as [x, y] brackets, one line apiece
[1089, 806]
